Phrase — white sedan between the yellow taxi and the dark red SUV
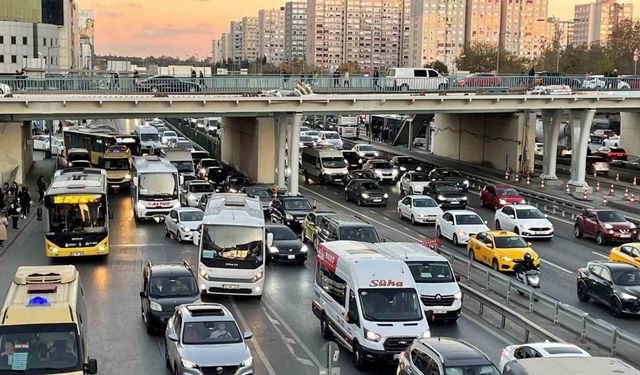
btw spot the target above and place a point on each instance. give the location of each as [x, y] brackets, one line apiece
[525, 220]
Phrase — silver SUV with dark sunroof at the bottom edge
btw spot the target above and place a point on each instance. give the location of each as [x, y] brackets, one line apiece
[203, 339]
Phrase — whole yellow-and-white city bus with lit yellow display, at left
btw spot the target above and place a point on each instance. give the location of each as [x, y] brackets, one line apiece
[76, 213]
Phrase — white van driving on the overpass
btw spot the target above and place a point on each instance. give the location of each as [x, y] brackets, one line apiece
[404, 79]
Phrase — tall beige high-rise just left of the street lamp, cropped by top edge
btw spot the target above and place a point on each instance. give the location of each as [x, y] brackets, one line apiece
[523, 27]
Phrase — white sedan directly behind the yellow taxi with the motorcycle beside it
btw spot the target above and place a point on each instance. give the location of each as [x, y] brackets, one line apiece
[459, 225]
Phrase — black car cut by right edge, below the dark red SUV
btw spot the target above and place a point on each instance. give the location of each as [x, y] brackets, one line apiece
[616, 285]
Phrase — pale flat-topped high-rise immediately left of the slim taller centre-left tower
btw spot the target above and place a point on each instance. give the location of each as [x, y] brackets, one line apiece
[271, 35]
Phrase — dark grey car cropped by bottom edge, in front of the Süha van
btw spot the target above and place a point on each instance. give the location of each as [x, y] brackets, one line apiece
[444, 355]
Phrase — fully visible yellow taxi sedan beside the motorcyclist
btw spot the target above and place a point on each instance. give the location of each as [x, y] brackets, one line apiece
[499, 249]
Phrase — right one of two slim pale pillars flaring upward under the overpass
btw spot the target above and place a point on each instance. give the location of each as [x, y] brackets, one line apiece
[580, 128]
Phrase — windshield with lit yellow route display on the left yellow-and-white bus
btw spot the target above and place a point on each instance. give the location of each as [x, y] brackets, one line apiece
[77, 214]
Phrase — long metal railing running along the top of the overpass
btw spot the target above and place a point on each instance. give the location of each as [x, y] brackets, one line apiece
[252, 85]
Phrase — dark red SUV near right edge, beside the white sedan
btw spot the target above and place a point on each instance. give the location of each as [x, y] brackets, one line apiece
[605, 226]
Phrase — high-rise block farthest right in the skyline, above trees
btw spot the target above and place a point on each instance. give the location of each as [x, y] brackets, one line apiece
[594, 22]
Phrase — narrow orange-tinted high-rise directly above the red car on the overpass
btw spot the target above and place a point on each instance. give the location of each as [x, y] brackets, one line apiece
[483, 22]
